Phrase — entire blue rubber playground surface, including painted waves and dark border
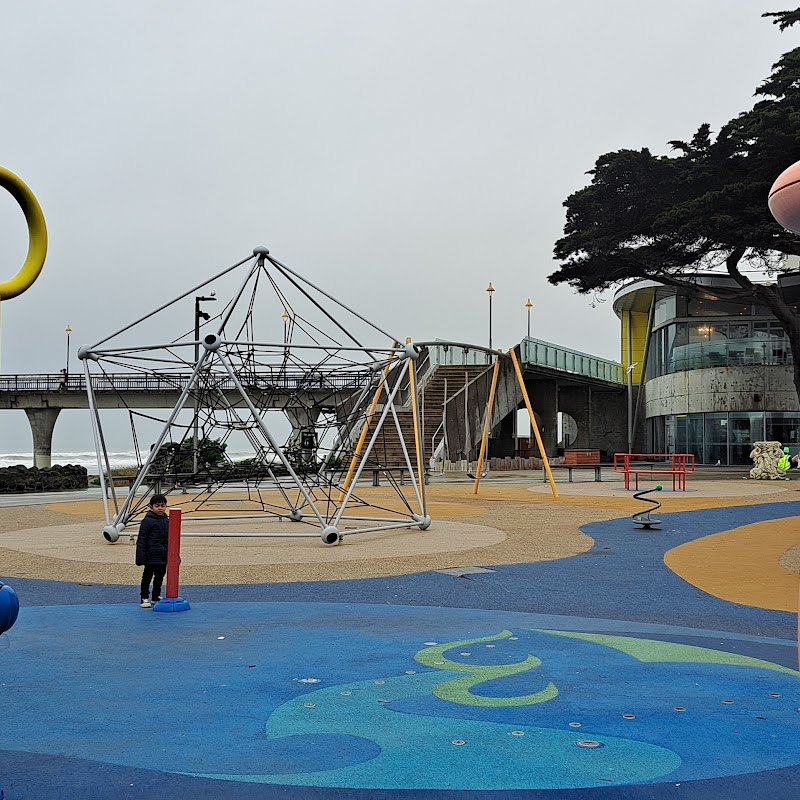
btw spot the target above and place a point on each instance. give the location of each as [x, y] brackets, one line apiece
[603, 676]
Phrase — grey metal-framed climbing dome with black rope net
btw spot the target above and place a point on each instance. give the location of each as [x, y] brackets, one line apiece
[278, 349]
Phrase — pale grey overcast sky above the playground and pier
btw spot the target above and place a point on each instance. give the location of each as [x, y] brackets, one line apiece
[400, 154]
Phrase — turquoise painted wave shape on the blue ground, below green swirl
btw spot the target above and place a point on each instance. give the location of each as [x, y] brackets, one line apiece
[425, 752]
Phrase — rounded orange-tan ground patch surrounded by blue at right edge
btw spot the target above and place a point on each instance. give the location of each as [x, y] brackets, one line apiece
[746, 565]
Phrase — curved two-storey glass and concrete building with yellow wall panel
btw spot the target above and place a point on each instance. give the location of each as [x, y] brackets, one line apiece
[715, 375]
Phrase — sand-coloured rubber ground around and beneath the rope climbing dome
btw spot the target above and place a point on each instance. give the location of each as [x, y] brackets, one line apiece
[505, 523]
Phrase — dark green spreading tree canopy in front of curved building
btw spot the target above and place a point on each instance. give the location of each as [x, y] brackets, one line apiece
[661, 217]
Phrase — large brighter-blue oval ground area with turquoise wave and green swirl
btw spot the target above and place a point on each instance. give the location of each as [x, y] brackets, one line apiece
[234, 706]
